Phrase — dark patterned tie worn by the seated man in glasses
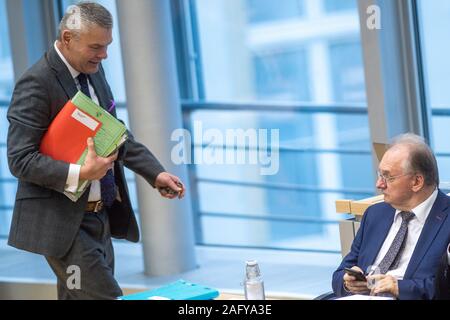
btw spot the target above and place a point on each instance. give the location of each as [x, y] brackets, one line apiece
[392, 257]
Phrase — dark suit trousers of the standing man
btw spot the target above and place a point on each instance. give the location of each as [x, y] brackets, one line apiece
[87, 271]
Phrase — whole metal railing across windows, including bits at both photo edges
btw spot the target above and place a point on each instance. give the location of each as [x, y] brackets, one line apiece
[350, 109]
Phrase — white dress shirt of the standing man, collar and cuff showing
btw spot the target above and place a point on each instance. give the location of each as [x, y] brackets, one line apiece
[74, 169]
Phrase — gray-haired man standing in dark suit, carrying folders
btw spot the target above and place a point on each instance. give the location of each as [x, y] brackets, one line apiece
[74, 236]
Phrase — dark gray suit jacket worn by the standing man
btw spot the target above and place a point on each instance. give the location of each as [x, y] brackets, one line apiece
[45, 221]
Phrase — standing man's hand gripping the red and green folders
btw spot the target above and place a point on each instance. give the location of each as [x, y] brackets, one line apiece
[95, 167]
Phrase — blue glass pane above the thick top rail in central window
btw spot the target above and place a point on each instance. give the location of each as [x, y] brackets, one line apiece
[314, 56]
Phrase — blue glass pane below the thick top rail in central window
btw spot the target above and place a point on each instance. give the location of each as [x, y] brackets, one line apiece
[311, 171]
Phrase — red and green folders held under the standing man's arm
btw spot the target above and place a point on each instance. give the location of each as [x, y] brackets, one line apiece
[79, 119]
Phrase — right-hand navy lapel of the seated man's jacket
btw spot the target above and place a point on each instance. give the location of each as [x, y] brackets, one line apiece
[432, 225]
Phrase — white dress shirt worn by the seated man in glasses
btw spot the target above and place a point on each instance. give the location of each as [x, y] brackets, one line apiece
[415, 227]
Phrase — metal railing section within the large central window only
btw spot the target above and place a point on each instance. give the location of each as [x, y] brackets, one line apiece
[354, 109]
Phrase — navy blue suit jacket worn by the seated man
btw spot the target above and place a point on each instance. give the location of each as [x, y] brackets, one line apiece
[418, 281]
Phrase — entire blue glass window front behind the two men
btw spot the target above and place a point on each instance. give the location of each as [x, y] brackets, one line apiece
[293, 67]
